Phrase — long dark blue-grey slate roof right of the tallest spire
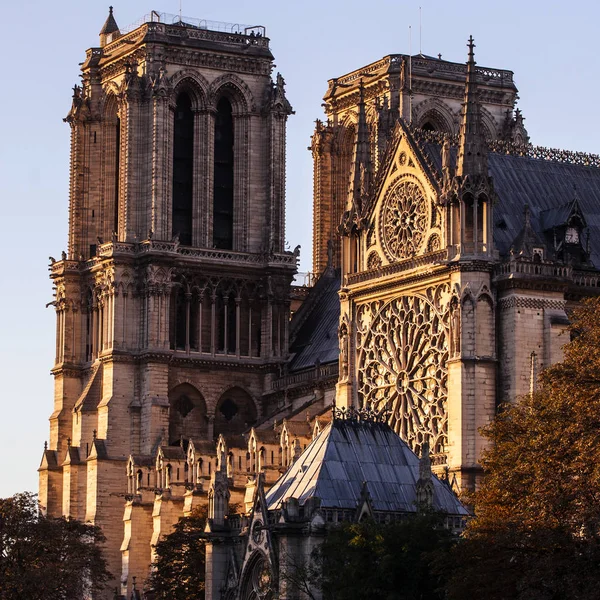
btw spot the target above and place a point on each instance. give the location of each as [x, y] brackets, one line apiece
[547, 186]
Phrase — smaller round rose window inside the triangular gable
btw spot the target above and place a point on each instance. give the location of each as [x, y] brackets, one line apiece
[404, 220]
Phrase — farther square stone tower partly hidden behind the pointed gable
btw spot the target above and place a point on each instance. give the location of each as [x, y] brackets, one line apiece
[427, 93]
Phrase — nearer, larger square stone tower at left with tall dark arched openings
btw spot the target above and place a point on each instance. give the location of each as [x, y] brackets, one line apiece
[172, 299]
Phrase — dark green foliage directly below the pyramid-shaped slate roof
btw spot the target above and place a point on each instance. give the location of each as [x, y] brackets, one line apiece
[363, 561]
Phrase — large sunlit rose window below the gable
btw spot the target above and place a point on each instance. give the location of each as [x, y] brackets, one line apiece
[402, 354]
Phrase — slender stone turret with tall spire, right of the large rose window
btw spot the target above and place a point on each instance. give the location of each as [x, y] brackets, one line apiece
[468, 197]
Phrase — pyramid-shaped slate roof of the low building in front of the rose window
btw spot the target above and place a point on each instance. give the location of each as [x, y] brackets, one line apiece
[346, 455]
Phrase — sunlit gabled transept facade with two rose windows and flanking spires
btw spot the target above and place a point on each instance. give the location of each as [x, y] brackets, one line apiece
[417, 323]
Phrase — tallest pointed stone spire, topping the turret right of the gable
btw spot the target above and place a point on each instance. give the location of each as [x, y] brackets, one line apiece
[472, 149]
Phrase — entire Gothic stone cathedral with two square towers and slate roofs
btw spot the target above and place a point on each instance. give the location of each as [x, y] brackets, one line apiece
[191, 370]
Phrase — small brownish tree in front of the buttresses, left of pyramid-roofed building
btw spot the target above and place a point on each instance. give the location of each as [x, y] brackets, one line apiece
[178, 573]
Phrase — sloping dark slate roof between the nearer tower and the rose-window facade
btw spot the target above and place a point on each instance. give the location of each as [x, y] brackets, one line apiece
[314, 326]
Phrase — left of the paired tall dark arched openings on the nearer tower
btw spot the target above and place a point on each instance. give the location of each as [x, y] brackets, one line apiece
[183, 169]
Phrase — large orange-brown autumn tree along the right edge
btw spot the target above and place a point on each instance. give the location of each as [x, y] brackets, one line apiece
[536, 531]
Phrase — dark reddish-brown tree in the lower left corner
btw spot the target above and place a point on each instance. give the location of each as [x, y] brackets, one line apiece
[46, 558]
